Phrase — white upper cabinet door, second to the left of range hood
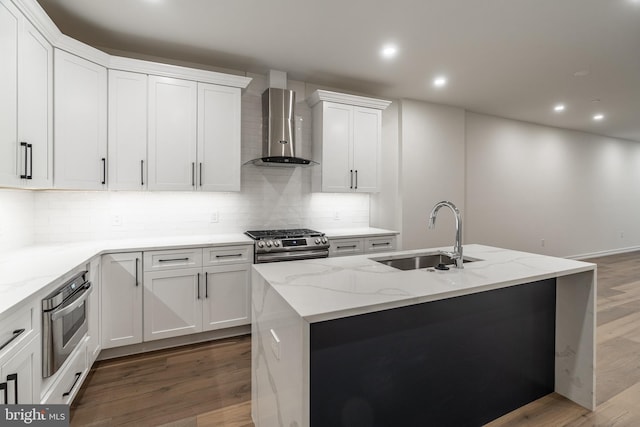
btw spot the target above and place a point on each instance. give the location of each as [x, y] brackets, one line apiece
[172, 133]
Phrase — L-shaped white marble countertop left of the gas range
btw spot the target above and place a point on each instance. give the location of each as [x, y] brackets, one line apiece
[26, 271]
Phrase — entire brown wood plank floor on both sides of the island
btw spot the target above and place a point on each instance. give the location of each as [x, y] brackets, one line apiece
[209, 384]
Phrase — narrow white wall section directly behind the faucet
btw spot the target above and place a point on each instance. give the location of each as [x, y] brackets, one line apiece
[432, 169]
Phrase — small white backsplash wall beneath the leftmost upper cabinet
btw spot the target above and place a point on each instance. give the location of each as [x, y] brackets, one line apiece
[16, 218]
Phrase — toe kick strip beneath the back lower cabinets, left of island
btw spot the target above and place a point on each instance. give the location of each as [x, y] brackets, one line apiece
[112, 353]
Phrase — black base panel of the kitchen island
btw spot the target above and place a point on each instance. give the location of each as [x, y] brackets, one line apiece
[459, 362]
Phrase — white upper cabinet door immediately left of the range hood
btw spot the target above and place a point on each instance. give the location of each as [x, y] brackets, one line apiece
[218, 138]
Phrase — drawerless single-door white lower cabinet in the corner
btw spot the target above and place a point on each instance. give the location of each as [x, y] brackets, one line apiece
[121, 305]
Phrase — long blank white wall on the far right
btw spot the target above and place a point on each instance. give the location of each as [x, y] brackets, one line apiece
[525, 183]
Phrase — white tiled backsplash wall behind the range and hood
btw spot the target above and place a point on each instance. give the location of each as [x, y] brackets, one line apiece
[270, 197]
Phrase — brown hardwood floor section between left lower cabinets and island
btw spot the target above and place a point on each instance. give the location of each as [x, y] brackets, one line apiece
[197, 385]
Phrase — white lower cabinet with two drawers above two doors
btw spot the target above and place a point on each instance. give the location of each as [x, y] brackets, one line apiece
[194, 296]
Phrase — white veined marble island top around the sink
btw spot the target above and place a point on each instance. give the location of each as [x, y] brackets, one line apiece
[330, 288]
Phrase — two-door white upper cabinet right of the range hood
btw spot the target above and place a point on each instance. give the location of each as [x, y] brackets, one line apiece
[347, 137]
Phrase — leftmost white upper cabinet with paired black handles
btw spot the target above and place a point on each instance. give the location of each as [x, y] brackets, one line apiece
[25, 103]
